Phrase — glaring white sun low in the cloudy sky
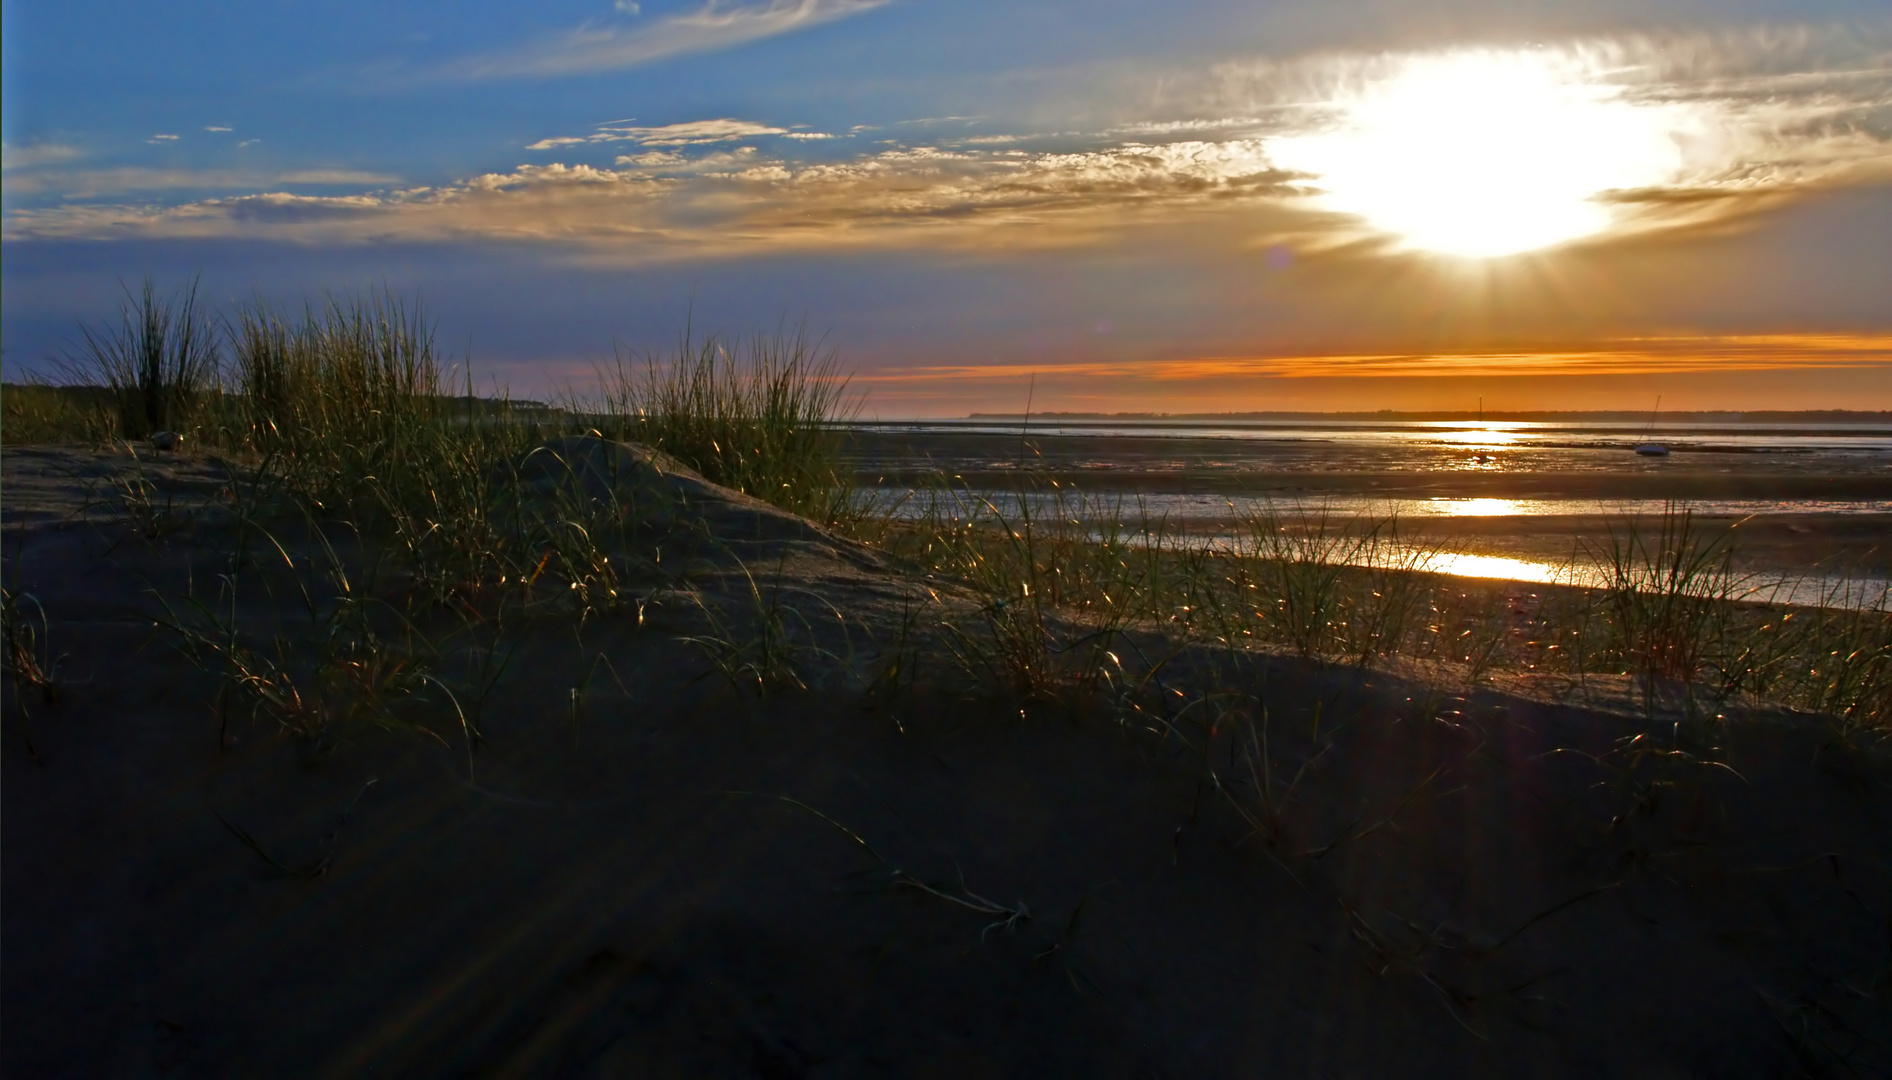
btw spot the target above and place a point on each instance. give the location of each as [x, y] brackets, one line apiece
[1486, 152]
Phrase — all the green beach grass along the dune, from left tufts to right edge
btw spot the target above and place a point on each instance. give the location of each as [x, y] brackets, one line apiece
[343, 419]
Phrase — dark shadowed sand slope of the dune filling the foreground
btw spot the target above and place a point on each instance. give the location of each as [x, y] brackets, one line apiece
[1462, 882]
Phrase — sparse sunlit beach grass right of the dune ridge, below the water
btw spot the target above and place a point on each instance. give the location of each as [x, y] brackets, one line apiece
[1070, 576]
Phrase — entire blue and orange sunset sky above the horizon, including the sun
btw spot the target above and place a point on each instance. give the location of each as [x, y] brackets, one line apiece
[1074, 205]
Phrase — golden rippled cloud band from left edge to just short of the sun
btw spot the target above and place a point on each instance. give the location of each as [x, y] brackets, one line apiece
[671, 203]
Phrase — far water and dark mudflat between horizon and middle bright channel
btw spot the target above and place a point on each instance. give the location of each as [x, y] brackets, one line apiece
[1441, 459]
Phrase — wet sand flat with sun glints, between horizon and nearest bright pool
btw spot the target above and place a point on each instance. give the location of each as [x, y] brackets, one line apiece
[1798, 510]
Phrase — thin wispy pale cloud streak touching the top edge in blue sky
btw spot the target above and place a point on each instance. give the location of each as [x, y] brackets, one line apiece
[712, 27]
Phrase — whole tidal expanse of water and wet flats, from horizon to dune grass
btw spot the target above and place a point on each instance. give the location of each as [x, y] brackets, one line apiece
[1503, 500]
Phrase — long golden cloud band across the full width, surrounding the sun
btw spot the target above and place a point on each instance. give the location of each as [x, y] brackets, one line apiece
[1747, 133]
